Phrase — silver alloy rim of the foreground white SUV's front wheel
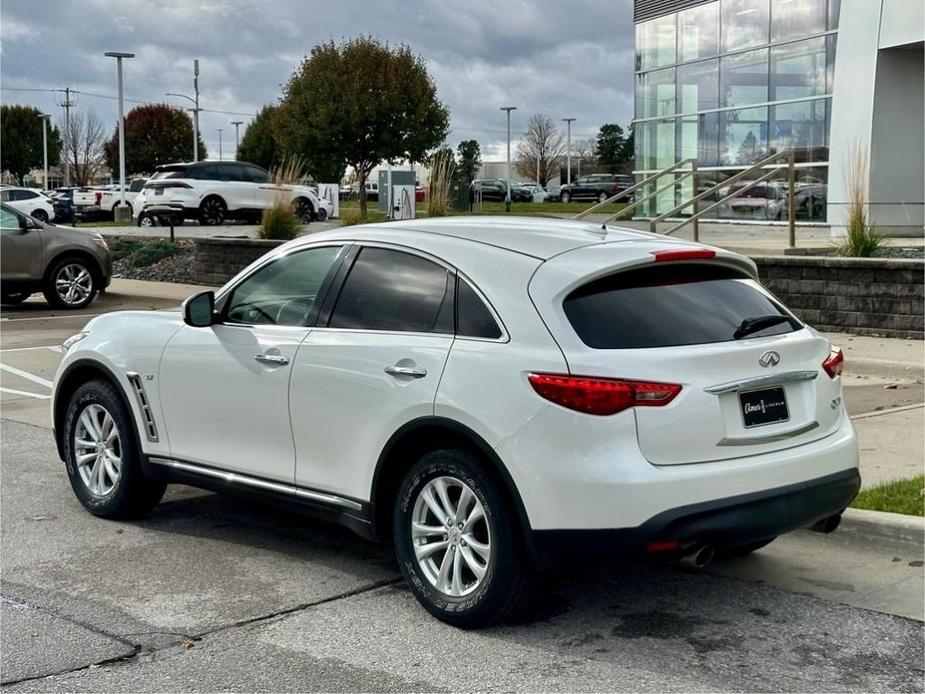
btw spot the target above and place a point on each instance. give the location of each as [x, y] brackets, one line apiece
[98, 450]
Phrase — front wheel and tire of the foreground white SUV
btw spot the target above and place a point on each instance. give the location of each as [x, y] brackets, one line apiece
[112, 484]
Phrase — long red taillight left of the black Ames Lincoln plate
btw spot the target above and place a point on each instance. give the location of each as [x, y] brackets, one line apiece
[602, 396]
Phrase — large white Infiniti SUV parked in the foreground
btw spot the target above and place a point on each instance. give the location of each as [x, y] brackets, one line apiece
[490, 395]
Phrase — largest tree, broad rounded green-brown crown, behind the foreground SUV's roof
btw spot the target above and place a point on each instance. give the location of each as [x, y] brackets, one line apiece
[359, 103]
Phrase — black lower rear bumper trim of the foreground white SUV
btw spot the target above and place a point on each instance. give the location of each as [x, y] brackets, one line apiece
[731, 521]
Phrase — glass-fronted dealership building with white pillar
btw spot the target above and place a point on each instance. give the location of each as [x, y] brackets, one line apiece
[730, 82]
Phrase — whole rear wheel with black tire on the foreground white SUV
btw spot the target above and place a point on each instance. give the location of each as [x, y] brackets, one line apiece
[467, 600]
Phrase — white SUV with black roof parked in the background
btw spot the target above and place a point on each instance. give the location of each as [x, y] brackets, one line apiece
[215, 191]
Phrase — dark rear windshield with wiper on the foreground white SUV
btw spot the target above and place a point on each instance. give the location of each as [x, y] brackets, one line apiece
[677, 304]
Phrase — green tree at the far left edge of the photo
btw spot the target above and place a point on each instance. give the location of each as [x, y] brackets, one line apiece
[21, 135]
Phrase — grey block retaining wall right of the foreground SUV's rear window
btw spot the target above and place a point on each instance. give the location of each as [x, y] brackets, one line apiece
[865, 296]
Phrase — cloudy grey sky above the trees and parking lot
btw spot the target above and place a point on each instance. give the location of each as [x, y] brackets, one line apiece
[558, 57]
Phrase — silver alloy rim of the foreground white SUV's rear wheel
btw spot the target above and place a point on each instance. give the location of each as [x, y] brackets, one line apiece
[450, 536]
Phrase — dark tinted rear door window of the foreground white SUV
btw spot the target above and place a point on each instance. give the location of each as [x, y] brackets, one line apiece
[391, 290]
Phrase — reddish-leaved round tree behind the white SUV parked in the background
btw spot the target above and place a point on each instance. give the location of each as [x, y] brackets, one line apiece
[155, 134]
